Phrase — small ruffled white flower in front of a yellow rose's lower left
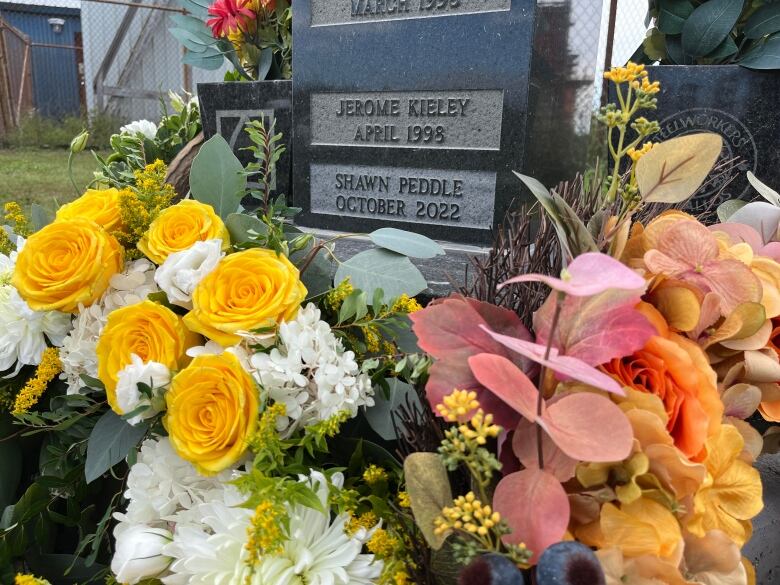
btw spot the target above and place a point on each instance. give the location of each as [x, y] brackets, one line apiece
[129, 398]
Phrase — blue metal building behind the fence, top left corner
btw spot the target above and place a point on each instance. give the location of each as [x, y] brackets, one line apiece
[57, 56]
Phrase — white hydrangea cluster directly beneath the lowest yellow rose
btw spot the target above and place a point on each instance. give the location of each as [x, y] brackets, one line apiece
[163, 487]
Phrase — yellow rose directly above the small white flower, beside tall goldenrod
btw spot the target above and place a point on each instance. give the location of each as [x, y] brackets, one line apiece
[178, 227]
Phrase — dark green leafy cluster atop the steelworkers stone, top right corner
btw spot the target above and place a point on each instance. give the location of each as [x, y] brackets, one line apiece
[712, 32]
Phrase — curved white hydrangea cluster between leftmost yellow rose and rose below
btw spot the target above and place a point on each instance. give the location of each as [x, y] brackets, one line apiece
[78, 355]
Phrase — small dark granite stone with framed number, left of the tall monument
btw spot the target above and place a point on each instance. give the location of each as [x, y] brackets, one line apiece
[227, 107]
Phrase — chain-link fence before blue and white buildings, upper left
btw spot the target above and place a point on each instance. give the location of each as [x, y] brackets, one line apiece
[95, 56]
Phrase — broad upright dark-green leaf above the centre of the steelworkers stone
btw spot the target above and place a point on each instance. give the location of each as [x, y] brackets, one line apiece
[709, 24]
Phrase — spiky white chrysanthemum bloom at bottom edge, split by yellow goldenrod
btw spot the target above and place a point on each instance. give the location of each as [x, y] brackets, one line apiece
[318, 551]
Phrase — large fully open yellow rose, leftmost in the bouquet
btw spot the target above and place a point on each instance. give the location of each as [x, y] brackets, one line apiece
[67, 263]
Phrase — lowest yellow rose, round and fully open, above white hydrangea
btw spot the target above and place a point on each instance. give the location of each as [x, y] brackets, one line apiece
[212, 411]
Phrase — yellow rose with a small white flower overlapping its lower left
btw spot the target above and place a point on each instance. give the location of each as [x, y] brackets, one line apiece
[146, 329]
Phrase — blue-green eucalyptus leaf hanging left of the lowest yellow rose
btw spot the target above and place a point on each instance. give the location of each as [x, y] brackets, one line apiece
[110, 442]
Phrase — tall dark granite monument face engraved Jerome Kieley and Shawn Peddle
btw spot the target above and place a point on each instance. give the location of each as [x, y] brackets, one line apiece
[410, 113]
